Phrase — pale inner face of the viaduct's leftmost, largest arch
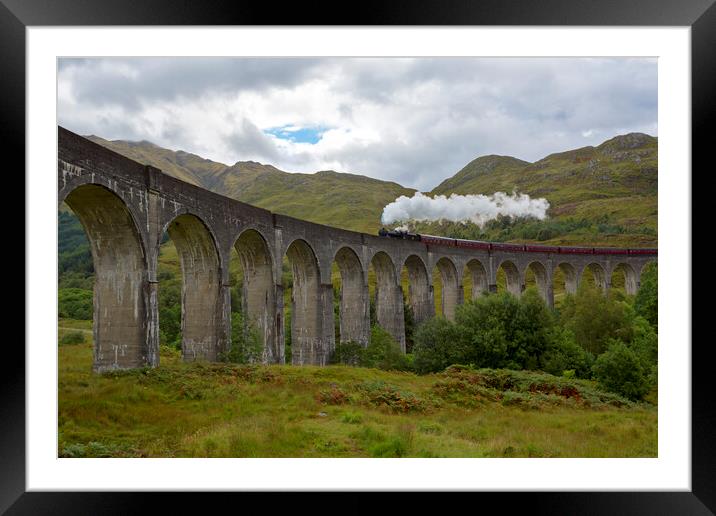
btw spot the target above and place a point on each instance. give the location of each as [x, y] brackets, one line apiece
[121, 328]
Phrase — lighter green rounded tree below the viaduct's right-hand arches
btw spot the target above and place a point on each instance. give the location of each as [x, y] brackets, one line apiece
[594, 318]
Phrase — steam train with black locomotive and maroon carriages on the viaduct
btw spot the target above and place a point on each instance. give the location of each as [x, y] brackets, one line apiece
[498, 246]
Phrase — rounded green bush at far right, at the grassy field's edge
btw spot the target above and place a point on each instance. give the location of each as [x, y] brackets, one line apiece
[621, 370]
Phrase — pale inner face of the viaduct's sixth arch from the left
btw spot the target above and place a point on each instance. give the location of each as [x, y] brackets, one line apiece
[388, 297]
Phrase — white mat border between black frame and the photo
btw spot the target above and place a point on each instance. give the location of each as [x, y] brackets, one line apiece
[670, 471]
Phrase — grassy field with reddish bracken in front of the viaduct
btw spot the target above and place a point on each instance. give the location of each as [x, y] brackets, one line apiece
[223, 410]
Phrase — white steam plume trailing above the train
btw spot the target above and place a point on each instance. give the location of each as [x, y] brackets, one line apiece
[462, 208]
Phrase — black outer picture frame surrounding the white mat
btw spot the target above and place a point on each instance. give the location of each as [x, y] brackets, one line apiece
[16, 15]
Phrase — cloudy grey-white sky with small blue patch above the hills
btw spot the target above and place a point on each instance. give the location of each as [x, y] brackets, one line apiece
[413, 121]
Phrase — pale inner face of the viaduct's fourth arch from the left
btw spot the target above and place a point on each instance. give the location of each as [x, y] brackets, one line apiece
[307, 346]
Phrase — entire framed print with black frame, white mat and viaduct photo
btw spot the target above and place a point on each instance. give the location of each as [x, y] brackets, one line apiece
[65, 63]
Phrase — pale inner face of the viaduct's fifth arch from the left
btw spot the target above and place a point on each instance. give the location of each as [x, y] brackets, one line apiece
[355, 303]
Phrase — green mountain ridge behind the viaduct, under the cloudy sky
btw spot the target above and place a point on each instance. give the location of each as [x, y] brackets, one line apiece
[616, 179]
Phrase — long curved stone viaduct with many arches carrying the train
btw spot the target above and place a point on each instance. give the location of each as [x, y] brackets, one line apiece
[126, 207]
